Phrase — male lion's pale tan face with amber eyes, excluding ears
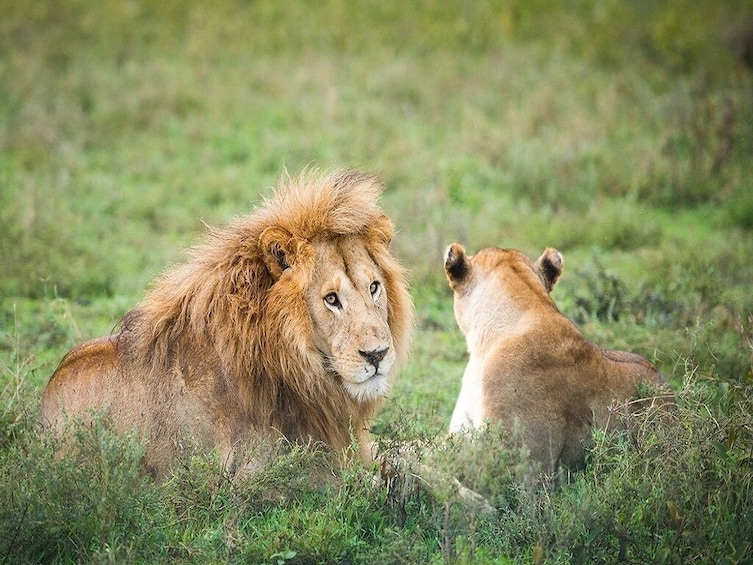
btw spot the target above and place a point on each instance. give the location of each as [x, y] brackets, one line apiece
[347, 300]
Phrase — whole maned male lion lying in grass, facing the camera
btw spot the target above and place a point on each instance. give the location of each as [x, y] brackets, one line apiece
[286, 323]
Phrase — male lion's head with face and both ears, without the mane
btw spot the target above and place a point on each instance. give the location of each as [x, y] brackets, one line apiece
[344, 284]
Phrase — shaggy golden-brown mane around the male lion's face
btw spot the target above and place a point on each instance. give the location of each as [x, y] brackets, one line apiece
[225, 312]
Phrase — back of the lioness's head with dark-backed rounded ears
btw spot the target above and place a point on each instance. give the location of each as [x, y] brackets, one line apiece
[497, 285]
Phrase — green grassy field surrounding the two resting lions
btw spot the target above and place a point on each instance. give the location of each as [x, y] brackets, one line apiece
[619, 132]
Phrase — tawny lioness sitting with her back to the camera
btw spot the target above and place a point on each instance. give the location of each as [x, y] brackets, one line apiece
[529, 367]
